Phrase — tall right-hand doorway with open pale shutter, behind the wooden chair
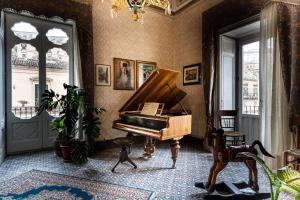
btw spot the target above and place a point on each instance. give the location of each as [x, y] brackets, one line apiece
[239, 77]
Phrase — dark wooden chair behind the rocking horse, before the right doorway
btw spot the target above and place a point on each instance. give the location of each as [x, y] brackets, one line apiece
[228, 122]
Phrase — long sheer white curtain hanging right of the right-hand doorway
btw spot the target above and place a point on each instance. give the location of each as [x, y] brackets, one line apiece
[274, 111]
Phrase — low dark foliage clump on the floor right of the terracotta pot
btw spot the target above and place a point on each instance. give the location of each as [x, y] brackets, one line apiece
[79, 152]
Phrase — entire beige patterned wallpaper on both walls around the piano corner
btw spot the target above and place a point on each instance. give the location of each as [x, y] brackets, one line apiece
[172, 42]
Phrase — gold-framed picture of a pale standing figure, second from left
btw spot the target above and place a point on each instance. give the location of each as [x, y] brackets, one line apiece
[124, 74]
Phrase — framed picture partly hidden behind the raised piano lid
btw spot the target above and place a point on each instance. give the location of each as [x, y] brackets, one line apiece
[144, 70]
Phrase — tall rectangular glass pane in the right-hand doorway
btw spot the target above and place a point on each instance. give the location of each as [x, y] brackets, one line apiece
[250, 79]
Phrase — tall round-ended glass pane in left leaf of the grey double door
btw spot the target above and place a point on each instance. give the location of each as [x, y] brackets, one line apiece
[25, 75]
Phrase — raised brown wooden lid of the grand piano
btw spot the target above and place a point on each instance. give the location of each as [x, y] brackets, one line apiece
[160, 87]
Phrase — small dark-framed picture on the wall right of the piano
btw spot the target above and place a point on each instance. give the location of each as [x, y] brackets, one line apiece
[192, 74]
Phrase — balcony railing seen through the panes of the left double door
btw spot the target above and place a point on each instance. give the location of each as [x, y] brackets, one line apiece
[27, 112]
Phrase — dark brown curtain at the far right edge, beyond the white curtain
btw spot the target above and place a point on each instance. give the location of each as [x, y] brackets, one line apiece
[289, 42]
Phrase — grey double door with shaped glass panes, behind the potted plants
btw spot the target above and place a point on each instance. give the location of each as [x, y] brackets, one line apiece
[39, 56]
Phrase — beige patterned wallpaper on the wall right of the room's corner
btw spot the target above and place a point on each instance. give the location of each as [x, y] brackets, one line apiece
[188, 36]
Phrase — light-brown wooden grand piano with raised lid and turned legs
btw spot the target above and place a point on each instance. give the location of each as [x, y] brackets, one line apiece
[168, 124]
